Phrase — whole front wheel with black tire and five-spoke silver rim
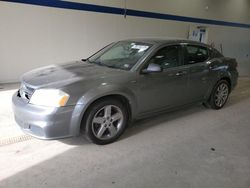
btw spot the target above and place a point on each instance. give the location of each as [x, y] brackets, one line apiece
[105, 121]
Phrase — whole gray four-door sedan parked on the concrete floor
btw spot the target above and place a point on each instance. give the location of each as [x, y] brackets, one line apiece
[124, 81]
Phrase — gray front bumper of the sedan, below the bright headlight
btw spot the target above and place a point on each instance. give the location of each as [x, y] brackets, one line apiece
[43, 122]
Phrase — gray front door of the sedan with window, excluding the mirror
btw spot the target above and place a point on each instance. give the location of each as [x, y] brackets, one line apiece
[165, 89]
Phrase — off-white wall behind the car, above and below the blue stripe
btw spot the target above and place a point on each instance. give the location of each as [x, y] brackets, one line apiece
[34, 36]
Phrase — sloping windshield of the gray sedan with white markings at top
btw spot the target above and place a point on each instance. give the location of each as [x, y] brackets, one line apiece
[122, 55]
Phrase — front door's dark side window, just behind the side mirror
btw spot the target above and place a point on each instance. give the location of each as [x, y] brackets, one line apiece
[167, 57]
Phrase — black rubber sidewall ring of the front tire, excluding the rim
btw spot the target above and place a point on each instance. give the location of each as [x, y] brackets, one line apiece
[91, 113]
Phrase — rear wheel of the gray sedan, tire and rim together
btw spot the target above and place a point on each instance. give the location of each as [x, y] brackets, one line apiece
[219, 95]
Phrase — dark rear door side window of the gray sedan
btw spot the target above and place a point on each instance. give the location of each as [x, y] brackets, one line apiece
[196, 54]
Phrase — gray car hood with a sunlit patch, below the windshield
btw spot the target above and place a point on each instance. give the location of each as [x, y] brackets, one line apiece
[57, 76]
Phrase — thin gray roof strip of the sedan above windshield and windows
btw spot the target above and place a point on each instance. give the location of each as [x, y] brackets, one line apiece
[161, 41]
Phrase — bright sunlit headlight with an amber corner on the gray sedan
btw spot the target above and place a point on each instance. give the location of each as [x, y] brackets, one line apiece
[49, 97]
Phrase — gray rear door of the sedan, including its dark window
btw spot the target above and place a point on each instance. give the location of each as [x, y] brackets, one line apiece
[197, 57]
